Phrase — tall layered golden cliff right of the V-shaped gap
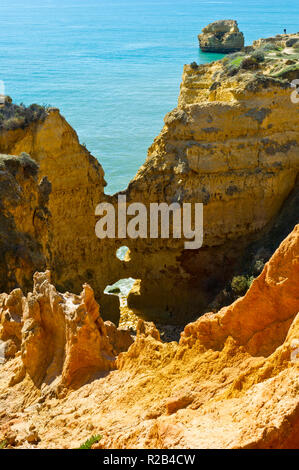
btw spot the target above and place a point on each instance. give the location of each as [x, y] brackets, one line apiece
[232, 143]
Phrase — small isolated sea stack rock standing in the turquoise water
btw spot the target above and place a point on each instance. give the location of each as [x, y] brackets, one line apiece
[221, 36]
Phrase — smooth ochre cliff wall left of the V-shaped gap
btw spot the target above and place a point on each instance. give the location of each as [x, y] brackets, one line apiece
[77, 186]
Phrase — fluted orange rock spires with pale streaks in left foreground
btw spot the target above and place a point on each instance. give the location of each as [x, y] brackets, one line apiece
[64, 339]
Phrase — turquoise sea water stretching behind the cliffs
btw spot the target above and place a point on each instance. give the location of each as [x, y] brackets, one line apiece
[114, 67]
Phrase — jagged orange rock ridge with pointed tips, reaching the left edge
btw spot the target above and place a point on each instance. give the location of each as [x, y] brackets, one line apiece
[62, 337]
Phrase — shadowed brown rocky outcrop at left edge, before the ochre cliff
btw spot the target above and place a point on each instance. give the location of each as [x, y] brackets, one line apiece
[24, 221]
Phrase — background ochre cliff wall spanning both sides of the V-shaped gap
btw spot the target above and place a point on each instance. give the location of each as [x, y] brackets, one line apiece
[231, 143]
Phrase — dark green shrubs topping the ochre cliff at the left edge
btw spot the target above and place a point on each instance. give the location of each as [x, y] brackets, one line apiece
[13, 116]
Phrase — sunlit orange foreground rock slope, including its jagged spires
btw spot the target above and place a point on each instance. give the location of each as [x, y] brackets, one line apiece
[231, 382]
